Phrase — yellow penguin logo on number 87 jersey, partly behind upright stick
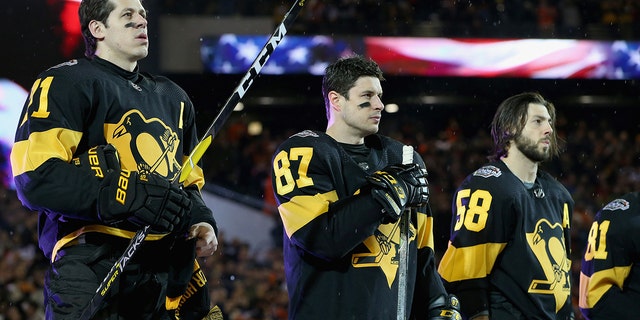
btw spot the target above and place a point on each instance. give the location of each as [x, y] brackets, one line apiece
[383, 248]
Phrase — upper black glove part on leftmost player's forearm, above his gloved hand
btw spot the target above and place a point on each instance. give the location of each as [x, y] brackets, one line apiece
[99, 160]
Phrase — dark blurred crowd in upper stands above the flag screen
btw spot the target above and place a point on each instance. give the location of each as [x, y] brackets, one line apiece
[574, 19]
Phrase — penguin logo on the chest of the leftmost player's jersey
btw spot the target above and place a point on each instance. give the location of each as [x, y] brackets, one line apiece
[148, 145]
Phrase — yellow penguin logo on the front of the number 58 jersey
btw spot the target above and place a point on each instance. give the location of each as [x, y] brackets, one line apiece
[548, 244]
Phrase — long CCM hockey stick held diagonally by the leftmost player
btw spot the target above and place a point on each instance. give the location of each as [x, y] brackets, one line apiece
[196, 154]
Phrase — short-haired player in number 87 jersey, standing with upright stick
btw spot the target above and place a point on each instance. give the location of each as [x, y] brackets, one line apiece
[340, 194]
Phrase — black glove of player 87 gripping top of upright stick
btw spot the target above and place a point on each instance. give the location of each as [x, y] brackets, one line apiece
[398, 186]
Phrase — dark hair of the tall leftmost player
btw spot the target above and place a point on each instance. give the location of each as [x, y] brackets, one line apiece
[89, 10]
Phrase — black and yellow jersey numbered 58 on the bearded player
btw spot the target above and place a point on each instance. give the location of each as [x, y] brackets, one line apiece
[511, 241]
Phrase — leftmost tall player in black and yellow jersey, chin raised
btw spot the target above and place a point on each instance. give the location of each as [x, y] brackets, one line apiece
[95, 150]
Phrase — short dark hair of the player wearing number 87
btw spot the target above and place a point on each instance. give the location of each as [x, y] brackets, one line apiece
[342, 75]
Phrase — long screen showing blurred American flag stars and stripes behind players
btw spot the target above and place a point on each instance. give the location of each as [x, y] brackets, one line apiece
[521, 58]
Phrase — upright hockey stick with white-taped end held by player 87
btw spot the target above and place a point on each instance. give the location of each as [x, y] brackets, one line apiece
[403, 251]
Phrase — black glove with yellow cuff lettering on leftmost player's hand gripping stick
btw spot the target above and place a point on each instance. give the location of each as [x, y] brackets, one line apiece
[143, 200]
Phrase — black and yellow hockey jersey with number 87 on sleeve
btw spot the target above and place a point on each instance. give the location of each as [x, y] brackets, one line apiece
[340, 261]
